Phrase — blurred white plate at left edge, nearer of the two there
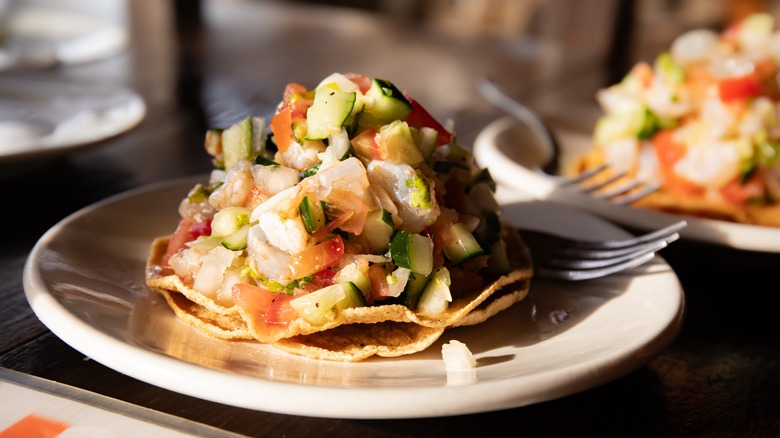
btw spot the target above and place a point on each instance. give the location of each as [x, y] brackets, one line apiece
[42, 117]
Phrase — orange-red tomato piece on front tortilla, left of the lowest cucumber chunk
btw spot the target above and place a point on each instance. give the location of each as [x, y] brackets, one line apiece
[269, 309]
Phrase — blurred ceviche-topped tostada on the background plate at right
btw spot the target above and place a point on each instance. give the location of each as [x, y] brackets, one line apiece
[703, 121]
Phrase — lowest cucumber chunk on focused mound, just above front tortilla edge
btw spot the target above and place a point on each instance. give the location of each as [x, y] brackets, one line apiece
[325, 304]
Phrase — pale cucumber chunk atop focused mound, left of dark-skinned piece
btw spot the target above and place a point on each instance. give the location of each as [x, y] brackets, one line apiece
[329, 112]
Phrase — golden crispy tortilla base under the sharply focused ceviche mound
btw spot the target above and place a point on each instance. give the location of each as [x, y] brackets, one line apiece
[356, 333]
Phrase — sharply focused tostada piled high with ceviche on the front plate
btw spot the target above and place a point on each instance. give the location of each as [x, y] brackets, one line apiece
[350, 224]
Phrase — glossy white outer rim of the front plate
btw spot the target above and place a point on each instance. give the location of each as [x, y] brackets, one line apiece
[166, 371]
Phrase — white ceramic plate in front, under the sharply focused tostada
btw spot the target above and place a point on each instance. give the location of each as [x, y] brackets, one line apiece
[85, 281]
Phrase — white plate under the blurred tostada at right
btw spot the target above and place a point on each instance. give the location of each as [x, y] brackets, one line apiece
[514, 152]
